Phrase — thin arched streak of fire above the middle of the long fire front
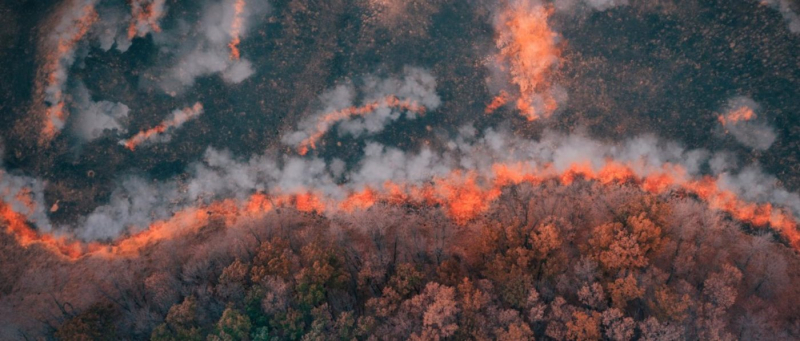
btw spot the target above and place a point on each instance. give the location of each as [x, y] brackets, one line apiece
[327, 120]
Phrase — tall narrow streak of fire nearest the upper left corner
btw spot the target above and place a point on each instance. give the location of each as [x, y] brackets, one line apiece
[56, 64]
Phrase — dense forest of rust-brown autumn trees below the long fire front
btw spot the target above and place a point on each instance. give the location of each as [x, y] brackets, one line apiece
[583, 262]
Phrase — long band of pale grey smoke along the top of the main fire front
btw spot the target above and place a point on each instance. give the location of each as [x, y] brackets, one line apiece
[139, 201]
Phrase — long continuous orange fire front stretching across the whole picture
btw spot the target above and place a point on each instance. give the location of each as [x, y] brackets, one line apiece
[462, 194]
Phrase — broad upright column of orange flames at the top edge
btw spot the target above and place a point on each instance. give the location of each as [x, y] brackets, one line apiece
[529, 53]
